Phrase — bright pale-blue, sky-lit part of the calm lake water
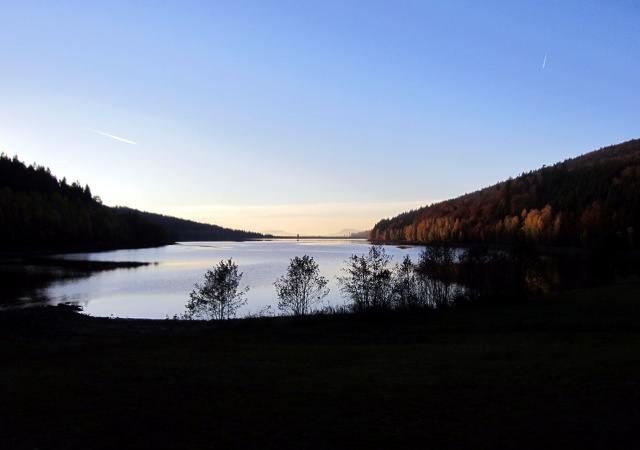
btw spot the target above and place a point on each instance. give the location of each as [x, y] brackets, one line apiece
[161, 290]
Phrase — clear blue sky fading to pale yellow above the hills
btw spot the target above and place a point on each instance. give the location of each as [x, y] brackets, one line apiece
[311, 117]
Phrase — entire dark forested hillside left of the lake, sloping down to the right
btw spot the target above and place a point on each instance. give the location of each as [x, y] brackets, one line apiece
[40, 212]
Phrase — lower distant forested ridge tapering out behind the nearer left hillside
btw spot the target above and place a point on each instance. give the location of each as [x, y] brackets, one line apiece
[188, 230]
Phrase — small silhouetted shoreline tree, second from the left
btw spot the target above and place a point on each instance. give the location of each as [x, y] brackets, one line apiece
[301, 287]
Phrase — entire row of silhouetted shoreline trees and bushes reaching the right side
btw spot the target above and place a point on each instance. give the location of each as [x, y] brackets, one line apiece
[441, 277]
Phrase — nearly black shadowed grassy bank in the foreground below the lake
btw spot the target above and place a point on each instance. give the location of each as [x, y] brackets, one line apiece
[560, 372]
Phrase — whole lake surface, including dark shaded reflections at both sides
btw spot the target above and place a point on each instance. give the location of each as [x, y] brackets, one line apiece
[158, 284]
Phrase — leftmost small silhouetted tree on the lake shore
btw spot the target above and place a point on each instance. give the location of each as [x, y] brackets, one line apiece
[220, 296]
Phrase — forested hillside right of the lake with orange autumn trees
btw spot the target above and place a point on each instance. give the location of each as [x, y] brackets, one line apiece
[591, 200]
